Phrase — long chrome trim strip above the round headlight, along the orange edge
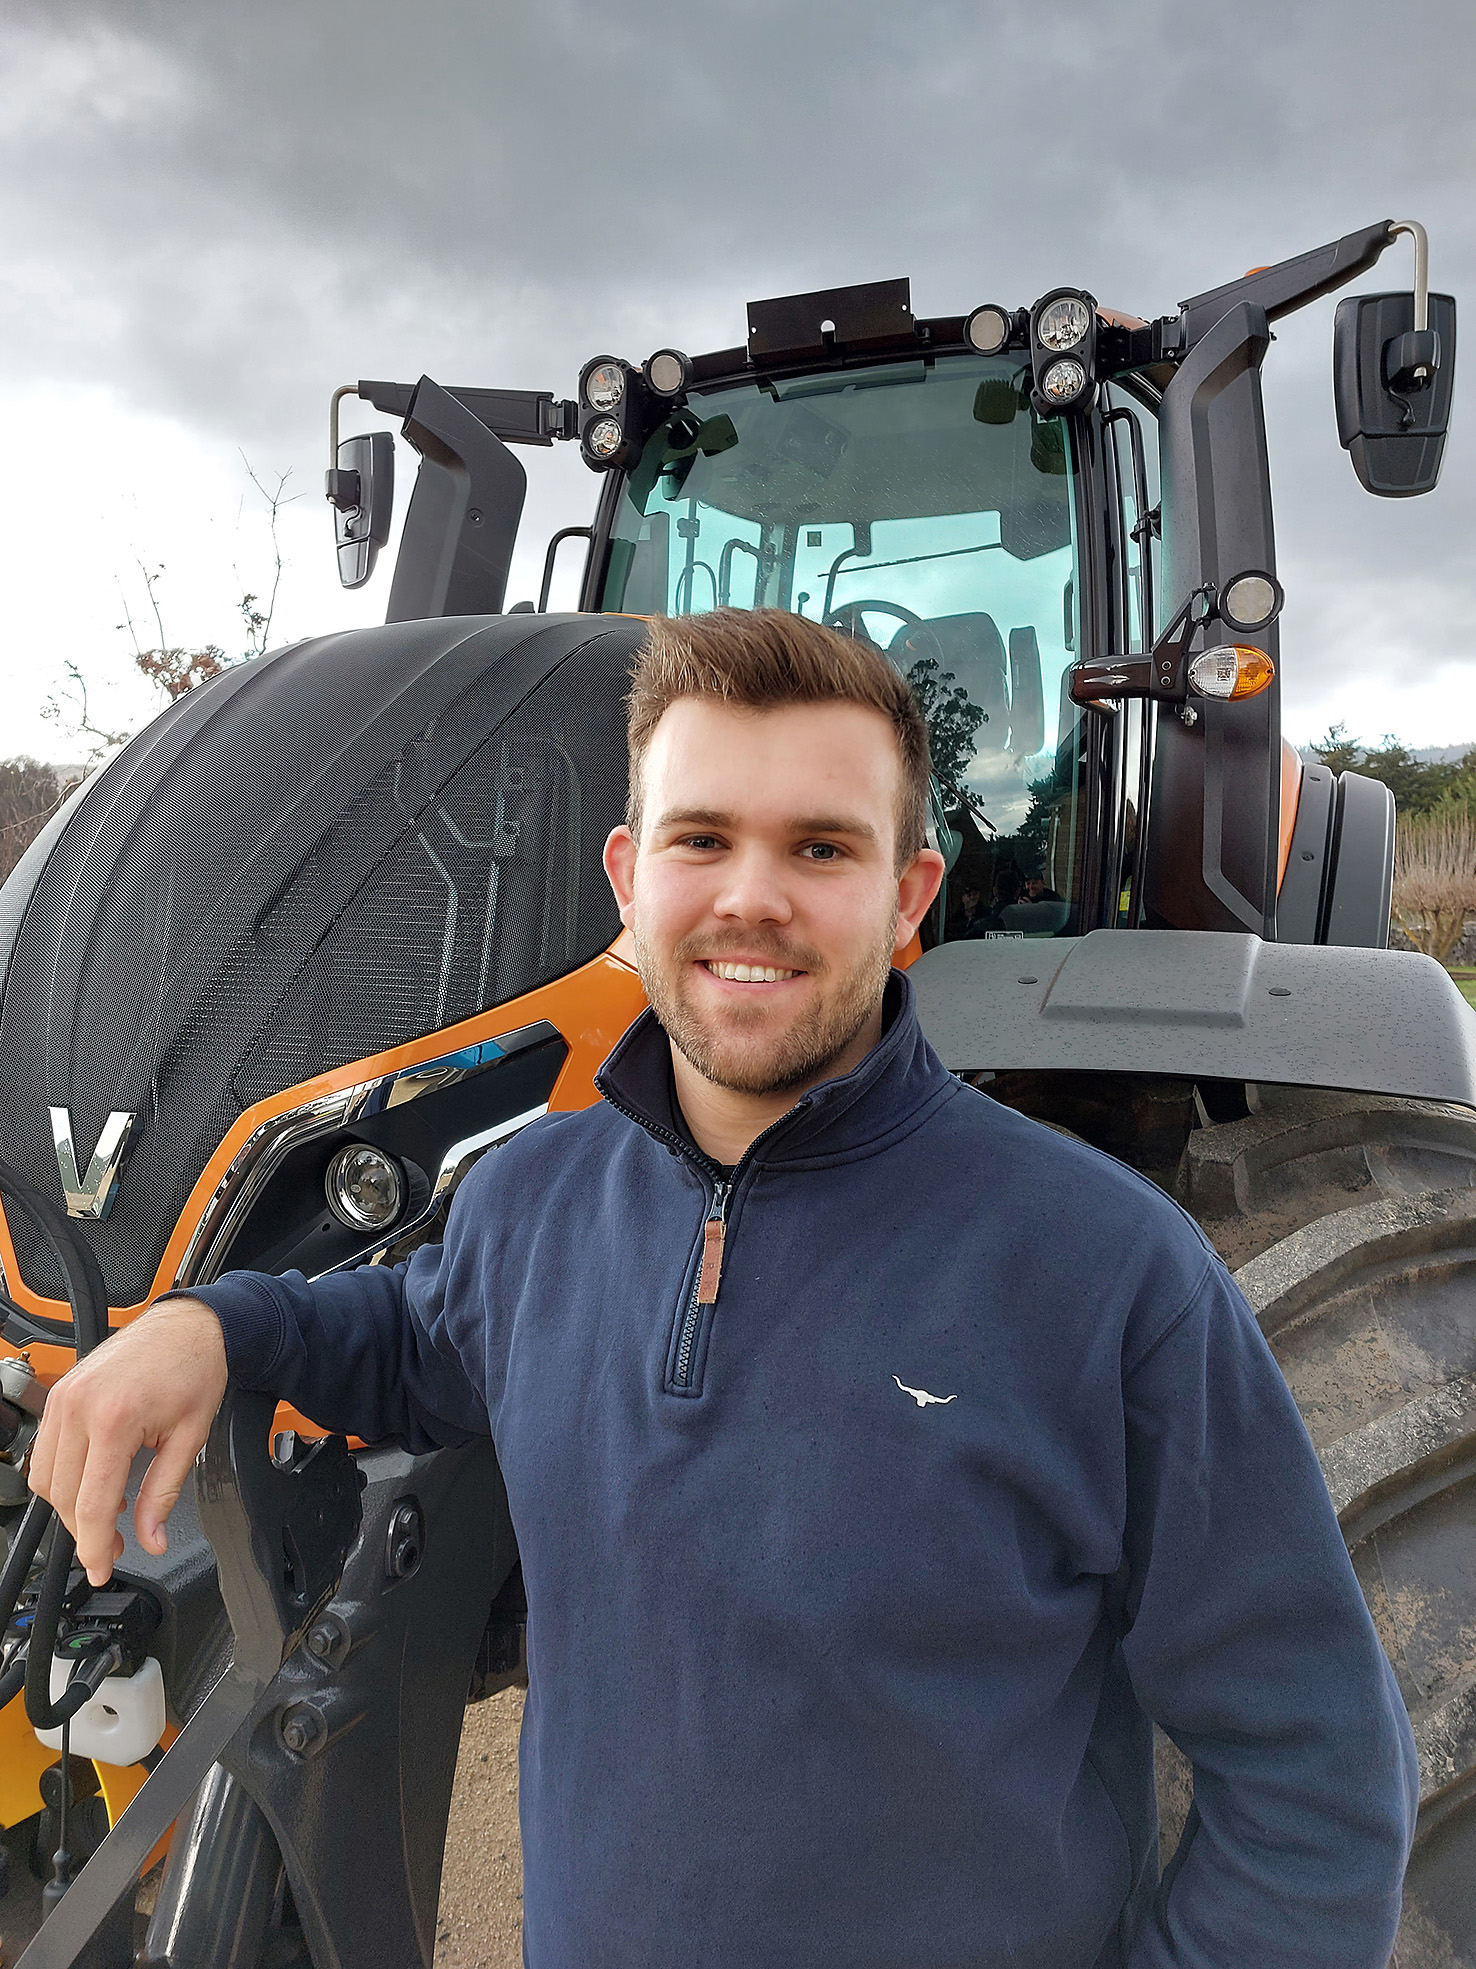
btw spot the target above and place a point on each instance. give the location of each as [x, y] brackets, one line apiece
[265, 1151]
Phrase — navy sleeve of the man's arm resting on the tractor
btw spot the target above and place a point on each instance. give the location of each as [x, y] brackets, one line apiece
[367, 1352]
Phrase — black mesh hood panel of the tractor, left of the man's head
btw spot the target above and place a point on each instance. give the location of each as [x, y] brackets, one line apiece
[324, 856]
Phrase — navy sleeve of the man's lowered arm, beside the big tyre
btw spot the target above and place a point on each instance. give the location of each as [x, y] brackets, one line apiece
[1251, 1645]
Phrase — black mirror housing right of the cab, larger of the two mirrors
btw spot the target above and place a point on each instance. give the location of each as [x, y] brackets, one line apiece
[1392, 389]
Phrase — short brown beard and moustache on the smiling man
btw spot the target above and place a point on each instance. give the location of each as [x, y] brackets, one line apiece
[798, 1054]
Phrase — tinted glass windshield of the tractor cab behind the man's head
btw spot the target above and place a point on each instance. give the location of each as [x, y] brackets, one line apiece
[920, 505]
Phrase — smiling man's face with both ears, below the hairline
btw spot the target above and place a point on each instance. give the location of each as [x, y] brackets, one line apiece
[765, 895]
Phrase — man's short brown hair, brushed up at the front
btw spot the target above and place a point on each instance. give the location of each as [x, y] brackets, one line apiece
[765, 659]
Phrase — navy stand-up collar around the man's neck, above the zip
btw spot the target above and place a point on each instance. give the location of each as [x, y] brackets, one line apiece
[845, 1117]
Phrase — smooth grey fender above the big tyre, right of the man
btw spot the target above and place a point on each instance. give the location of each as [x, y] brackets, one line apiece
[1201, 1007]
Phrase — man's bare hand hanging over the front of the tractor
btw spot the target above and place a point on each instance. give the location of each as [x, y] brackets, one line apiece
[153, 1387]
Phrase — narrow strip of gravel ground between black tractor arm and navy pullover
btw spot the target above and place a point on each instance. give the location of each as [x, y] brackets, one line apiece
[483, 1877]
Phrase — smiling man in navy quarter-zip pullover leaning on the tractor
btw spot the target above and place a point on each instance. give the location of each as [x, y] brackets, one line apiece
[881, 1462]
